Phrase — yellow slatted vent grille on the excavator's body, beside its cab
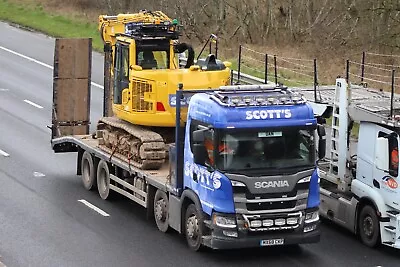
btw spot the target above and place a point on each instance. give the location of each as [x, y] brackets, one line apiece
[139, 88]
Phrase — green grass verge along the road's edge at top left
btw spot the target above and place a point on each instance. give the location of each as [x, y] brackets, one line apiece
[34, 17]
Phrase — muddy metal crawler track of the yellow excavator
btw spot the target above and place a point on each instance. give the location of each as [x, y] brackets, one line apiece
[144, 148]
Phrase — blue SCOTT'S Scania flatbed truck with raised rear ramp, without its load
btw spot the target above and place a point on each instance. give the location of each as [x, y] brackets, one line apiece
[241, 173]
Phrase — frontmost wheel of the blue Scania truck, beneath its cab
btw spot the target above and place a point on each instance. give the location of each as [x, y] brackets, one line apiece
[193, 227]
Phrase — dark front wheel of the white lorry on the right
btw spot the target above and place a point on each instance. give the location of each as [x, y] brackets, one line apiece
[368, 224]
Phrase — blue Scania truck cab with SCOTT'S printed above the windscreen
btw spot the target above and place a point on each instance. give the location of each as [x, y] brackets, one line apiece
[250, 162]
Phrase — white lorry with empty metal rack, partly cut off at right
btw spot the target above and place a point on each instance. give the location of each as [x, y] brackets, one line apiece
[359, 181]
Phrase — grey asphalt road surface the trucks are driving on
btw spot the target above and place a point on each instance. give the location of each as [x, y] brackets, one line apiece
[42, 221]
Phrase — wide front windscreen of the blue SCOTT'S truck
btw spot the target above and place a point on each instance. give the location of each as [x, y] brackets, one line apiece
[258, 149]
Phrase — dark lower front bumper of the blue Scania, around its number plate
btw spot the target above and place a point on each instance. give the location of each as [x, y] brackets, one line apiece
[297, 237]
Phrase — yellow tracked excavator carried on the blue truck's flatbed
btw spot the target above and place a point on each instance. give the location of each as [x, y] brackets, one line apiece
[142, 74]
